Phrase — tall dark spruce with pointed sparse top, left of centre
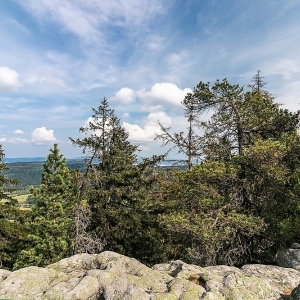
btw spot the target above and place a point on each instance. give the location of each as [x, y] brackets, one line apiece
[115, 184]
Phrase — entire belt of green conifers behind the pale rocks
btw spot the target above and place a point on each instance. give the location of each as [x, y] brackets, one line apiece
[239, 205]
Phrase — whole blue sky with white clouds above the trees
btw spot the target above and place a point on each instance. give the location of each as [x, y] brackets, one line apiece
[60, 58]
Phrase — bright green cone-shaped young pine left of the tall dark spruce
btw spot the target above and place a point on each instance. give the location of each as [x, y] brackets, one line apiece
[52, 224]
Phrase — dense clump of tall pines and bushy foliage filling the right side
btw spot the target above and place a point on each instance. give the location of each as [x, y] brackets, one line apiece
[249, 175]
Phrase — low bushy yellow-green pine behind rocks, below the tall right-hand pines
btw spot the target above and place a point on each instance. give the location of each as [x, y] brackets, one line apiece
[203, 216]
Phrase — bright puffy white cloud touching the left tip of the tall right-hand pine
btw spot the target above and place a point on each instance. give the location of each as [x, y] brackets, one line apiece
[164, 92]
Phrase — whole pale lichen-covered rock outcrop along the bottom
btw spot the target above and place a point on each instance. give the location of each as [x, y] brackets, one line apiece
[109, 275]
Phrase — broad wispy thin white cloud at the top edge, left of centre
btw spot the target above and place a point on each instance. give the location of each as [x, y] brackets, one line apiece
[86, 19]
